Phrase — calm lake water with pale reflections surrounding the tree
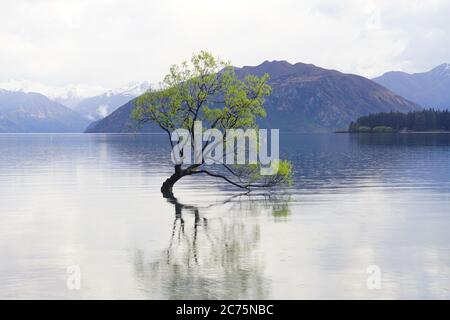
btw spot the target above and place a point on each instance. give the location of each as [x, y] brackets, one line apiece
[93, 201]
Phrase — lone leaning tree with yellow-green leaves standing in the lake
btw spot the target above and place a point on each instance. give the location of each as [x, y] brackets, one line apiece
[207, 89]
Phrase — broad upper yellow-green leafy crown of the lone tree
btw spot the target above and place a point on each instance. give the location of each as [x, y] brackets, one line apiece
[205, 89]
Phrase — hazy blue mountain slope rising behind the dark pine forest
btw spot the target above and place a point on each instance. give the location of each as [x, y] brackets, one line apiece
[429, 89]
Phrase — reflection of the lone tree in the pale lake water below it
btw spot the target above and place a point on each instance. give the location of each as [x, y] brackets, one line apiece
[214, 257]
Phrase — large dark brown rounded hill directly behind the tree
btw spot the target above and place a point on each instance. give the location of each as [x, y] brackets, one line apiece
[305, 98]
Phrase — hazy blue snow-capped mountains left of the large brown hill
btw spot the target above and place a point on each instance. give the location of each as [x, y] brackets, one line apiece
[22, 111]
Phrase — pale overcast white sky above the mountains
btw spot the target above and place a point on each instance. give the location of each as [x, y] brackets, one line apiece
[93, 45]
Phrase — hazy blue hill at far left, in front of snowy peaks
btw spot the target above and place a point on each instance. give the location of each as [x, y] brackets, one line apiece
[33, 113]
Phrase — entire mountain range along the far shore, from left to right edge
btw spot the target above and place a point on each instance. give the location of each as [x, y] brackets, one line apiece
[305, 98]
